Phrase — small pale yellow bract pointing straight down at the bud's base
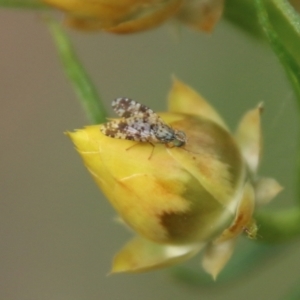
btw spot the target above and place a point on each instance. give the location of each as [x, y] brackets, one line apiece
[216, 256]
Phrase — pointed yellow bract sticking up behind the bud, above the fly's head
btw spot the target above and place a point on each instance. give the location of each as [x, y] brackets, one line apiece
[184, 99]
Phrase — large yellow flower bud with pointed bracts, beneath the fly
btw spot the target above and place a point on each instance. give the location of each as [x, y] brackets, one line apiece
[185, 198]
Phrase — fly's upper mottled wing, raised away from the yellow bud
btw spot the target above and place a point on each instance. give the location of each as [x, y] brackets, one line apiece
[126, 108]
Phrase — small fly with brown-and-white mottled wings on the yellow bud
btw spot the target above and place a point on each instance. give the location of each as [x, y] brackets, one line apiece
[139, 123]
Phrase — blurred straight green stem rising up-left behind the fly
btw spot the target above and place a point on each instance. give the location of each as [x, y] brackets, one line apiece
[82, 83]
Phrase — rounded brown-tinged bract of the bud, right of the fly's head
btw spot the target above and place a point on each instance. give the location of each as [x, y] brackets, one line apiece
[218, 159]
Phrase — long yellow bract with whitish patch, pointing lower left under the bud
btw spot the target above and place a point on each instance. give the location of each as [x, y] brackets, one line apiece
[141, 255]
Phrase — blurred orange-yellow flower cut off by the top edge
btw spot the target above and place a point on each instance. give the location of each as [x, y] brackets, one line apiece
[128, 16]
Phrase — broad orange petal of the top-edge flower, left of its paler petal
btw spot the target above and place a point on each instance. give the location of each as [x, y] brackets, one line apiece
[119, 16]
